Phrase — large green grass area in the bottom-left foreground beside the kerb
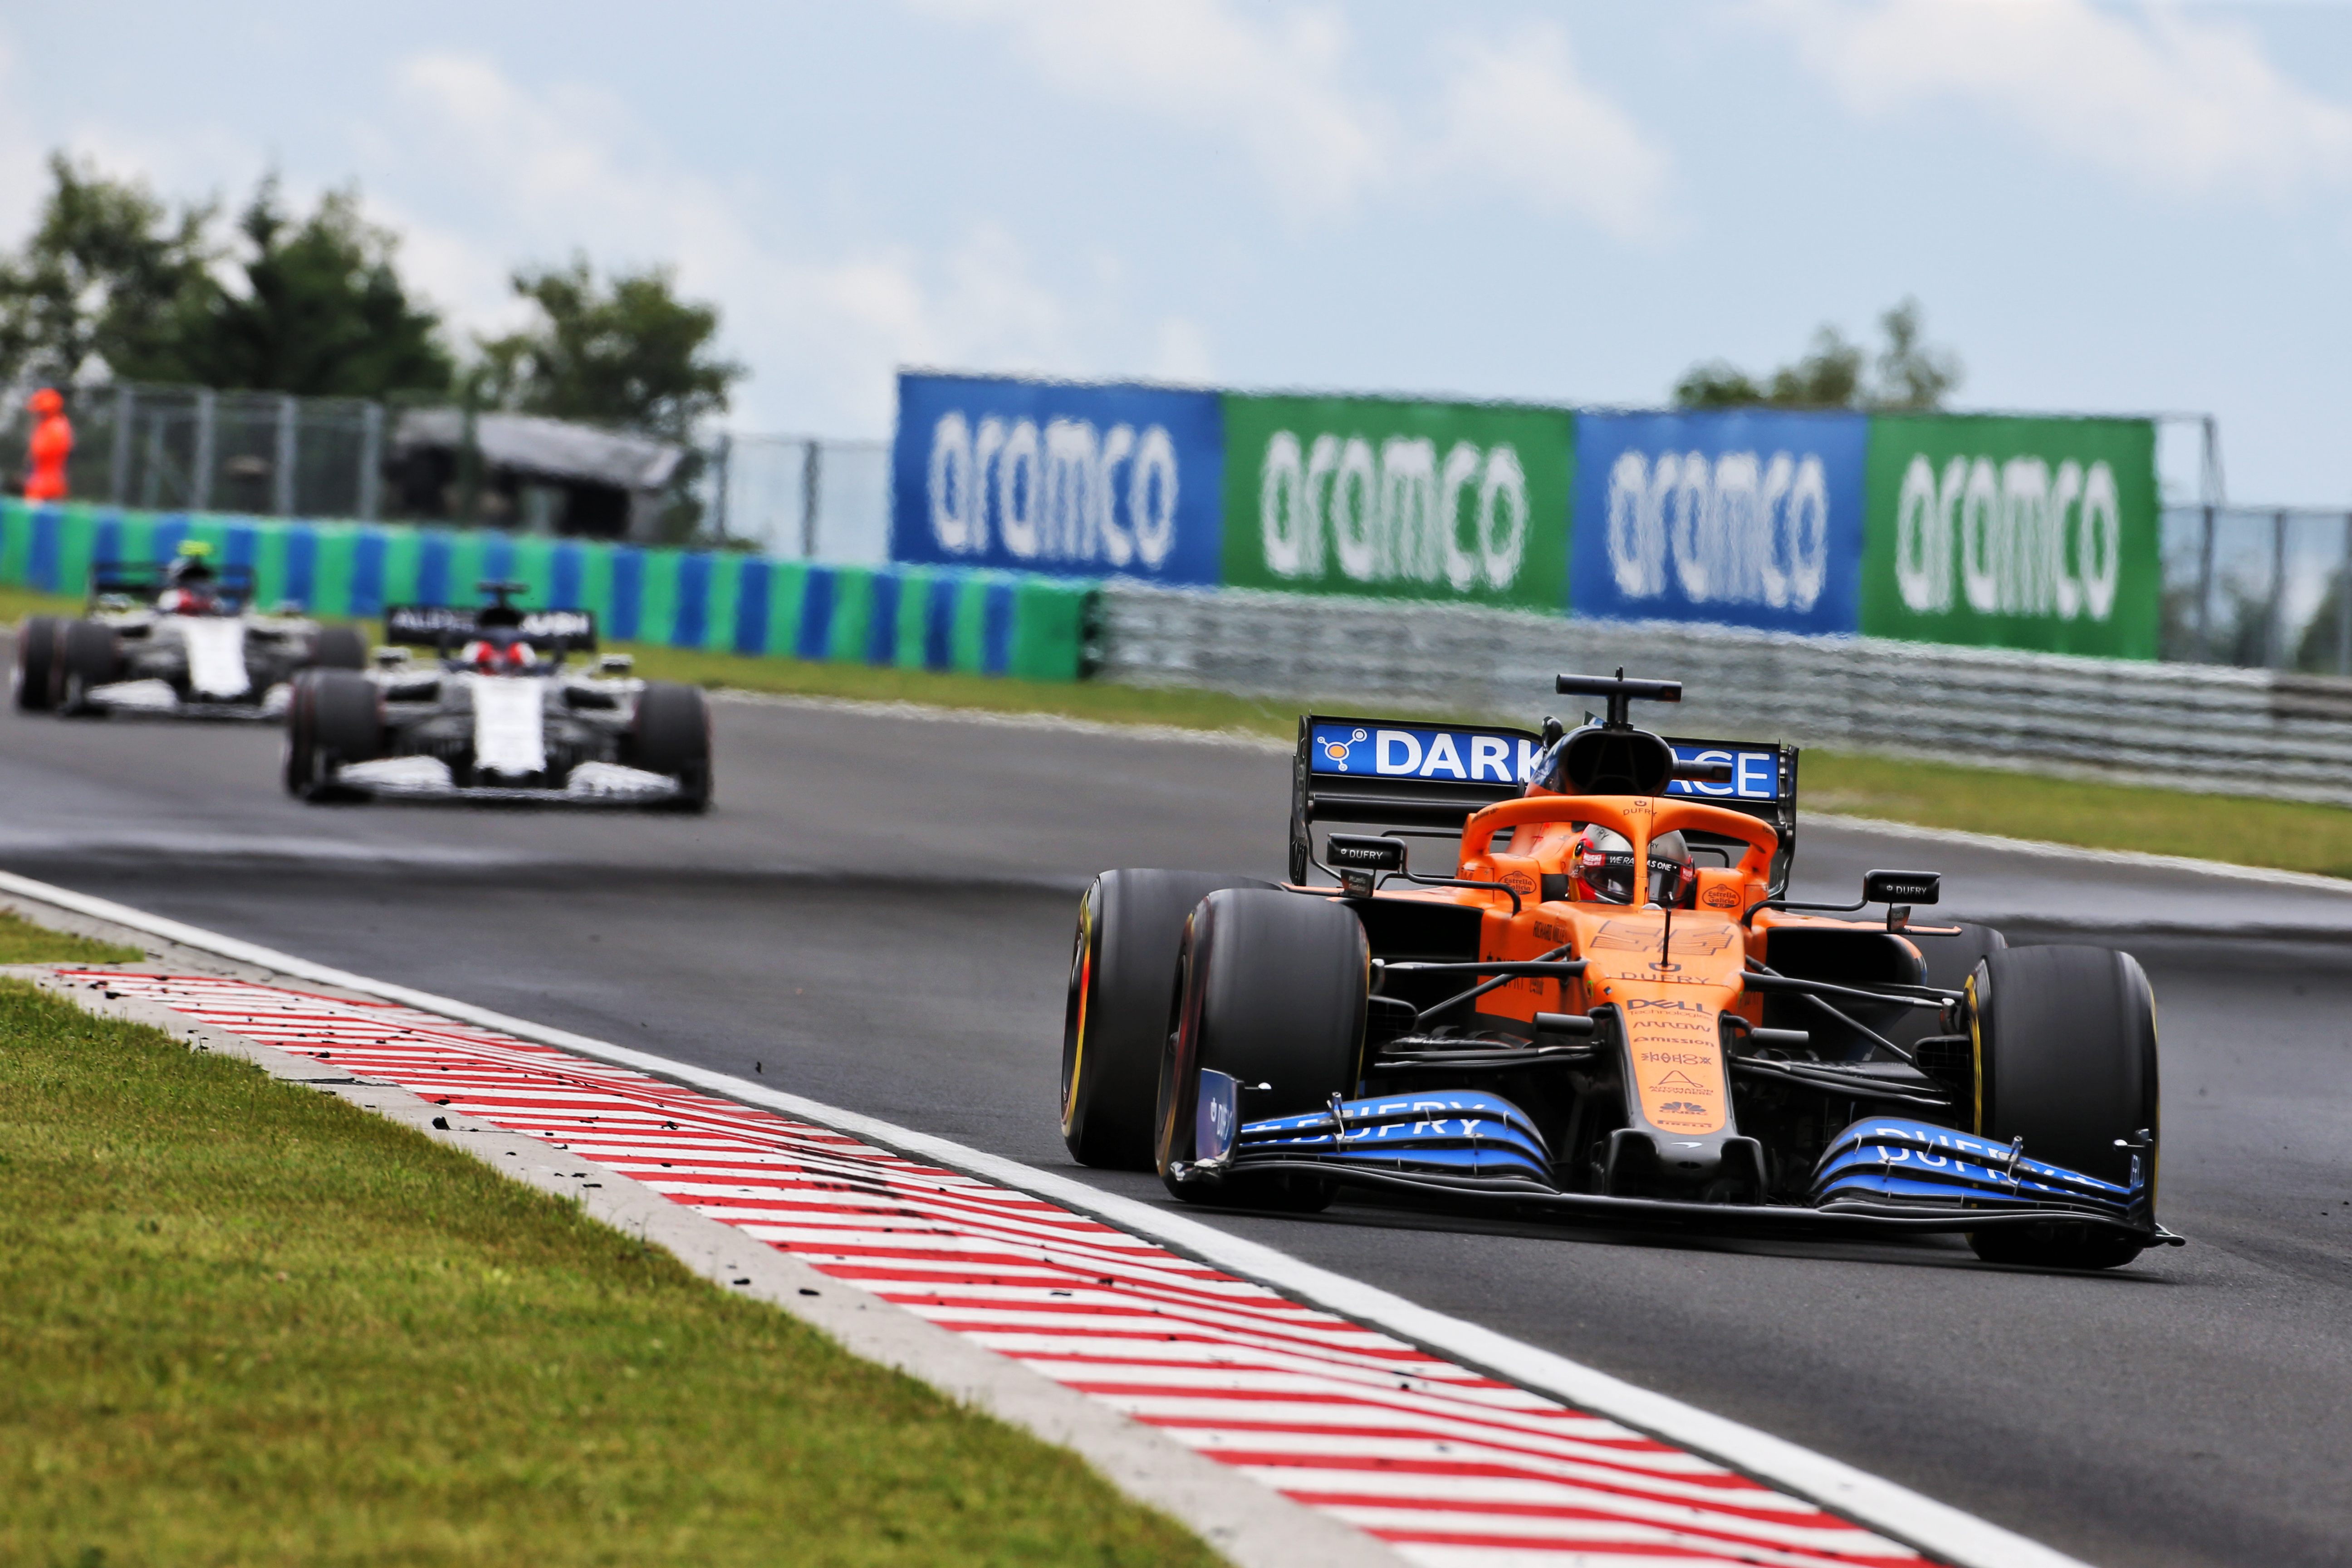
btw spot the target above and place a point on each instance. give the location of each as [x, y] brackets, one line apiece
[243, 1322]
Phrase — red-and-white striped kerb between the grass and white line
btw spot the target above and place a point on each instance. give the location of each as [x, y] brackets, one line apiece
[1443, 1463]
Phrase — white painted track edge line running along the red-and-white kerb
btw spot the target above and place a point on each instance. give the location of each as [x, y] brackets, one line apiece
[1895, 1510]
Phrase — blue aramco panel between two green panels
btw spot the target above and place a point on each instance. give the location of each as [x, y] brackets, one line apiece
[1739, 518]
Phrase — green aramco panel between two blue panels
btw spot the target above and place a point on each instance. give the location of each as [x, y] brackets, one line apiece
[1398, 500]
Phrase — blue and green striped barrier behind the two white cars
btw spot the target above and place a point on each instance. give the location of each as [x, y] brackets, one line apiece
[726, 603]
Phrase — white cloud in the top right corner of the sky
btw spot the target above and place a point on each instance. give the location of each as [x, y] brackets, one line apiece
[2172, 102]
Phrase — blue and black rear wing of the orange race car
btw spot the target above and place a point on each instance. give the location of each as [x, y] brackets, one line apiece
[1434, 777]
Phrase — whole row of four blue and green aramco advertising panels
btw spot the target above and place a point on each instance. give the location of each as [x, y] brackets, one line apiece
[1925, 528]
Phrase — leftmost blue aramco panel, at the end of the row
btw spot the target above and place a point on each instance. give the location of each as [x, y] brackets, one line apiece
[1048, 476]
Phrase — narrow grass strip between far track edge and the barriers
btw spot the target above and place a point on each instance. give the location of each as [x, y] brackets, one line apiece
[2243, 831]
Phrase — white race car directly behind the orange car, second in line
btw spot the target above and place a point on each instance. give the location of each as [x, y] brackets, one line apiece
[497, 718]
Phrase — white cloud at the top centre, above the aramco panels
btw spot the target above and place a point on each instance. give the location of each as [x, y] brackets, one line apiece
[1278, 83]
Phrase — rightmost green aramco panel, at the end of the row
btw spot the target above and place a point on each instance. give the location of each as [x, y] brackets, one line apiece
[2014, 532]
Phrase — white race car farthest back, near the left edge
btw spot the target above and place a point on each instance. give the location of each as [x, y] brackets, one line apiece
[175, 641]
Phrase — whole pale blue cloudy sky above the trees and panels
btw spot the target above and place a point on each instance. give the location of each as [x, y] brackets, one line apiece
[2104, 208]
